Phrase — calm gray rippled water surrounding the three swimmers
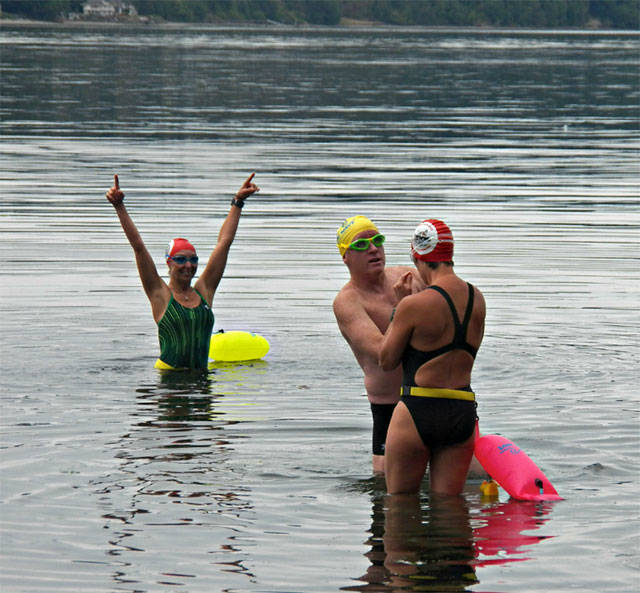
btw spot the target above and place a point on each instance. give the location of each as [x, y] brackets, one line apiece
[256, 478]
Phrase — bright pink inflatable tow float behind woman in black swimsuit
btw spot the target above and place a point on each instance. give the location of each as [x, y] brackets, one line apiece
[512, 468]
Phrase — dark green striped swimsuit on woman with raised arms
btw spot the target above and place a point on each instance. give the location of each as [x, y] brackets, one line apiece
[185, 335]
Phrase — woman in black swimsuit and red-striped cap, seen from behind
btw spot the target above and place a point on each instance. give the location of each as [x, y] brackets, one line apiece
[435, 334]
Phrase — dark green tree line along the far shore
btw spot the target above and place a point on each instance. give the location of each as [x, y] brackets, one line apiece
[614, 14]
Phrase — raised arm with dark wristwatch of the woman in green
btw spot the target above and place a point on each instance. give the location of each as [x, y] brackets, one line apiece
[208, 281]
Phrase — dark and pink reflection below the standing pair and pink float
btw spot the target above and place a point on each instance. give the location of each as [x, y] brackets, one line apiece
[436, 543]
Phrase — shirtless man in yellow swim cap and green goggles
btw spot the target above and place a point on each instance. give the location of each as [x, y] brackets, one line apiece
[363, 309]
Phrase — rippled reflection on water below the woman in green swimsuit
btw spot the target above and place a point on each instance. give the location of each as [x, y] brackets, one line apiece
[177, 454]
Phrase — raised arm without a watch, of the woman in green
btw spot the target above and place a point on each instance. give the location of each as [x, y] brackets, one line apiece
[154, 287]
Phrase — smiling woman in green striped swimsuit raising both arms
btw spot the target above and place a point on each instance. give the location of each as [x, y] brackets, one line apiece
[183, 312]
